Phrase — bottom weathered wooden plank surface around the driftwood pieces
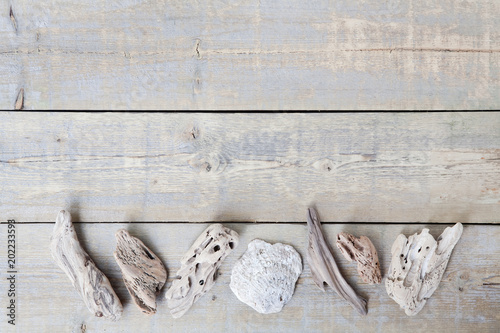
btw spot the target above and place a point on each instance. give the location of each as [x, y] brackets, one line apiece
[468, 298]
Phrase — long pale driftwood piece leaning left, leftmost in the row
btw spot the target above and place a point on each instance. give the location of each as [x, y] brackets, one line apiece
[92, 285]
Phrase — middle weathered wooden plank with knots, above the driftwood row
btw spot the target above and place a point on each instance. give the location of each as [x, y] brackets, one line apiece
[438, 167]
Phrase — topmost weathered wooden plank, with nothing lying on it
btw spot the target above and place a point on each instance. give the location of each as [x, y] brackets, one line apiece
[289, 54]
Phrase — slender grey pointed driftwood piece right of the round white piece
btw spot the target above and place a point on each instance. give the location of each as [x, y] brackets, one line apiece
[323, 266]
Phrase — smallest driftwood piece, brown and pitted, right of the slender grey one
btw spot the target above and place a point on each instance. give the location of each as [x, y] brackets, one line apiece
[364, 253]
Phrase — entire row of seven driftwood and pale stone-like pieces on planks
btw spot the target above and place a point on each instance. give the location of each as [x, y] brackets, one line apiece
[264, 277]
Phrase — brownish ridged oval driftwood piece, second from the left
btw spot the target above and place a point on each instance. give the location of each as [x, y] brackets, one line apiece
[143, 272]
